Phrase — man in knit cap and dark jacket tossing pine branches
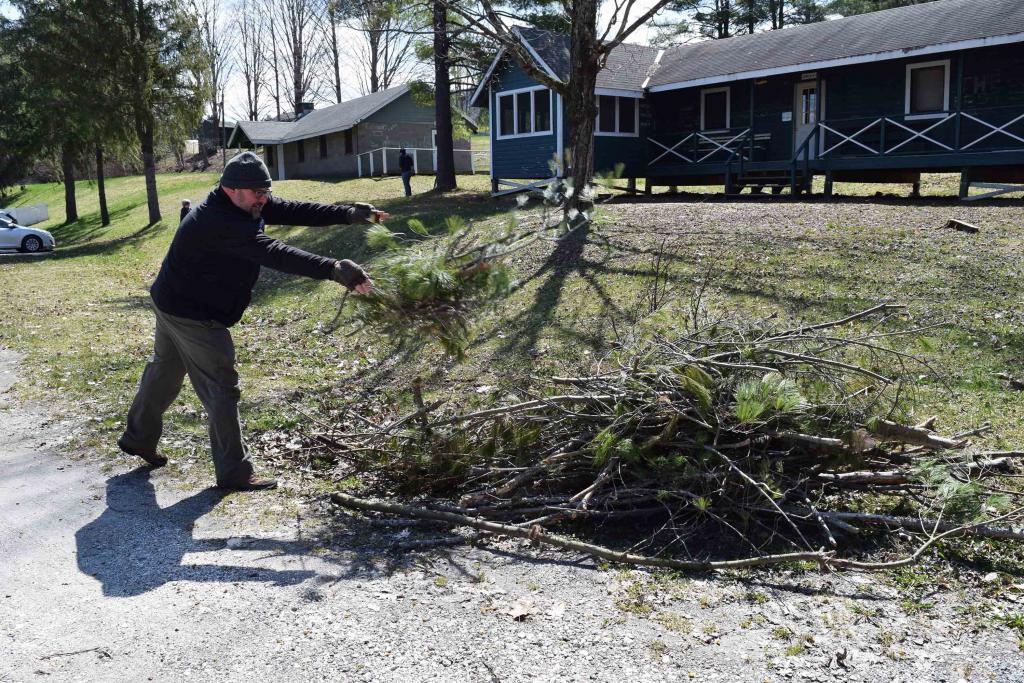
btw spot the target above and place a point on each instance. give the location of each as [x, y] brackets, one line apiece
[204, 286]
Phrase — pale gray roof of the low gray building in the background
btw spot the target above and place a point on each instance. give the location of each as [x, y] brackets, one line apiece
[319, 122]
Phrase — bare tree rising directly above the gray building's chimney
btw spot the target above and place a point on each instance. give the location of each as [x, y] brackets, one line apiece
[297, 20]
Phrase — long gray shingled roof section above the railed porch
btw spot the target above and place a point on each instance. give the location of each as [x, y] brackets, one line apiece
[916, 30]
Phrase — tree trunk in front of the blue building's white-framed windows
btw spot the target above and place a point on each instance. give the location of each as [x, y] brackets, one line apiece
[581, 107]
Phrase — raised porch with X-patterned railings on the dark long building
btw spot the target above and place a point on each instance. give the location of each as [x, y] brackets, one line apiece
[986, 144]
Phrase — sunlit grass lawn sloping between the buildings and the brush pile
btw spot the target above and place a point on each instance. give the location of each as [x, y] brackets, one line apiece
[81, 315]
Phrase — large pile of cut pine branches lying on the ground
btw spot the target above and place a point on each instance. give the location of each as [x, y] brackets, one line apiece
[791, 443]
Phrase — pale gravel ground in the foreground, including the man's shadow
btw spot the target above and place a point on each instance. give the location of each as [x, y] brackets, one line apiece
[115, 573]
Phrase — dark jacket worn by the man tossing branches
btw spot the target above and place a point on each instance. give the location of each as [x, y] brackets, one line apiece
[216, 258]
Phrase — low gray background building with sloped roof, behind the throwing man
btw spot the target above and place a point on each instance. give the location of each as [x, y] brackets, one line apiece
[359, 138]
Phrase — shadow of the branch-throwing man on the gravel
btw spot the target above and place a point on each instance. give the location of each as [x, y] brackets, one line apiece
[136, 546]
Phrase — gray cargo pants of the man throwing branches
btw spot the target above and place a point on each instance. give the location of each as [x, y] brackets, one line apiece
[203, 350]
